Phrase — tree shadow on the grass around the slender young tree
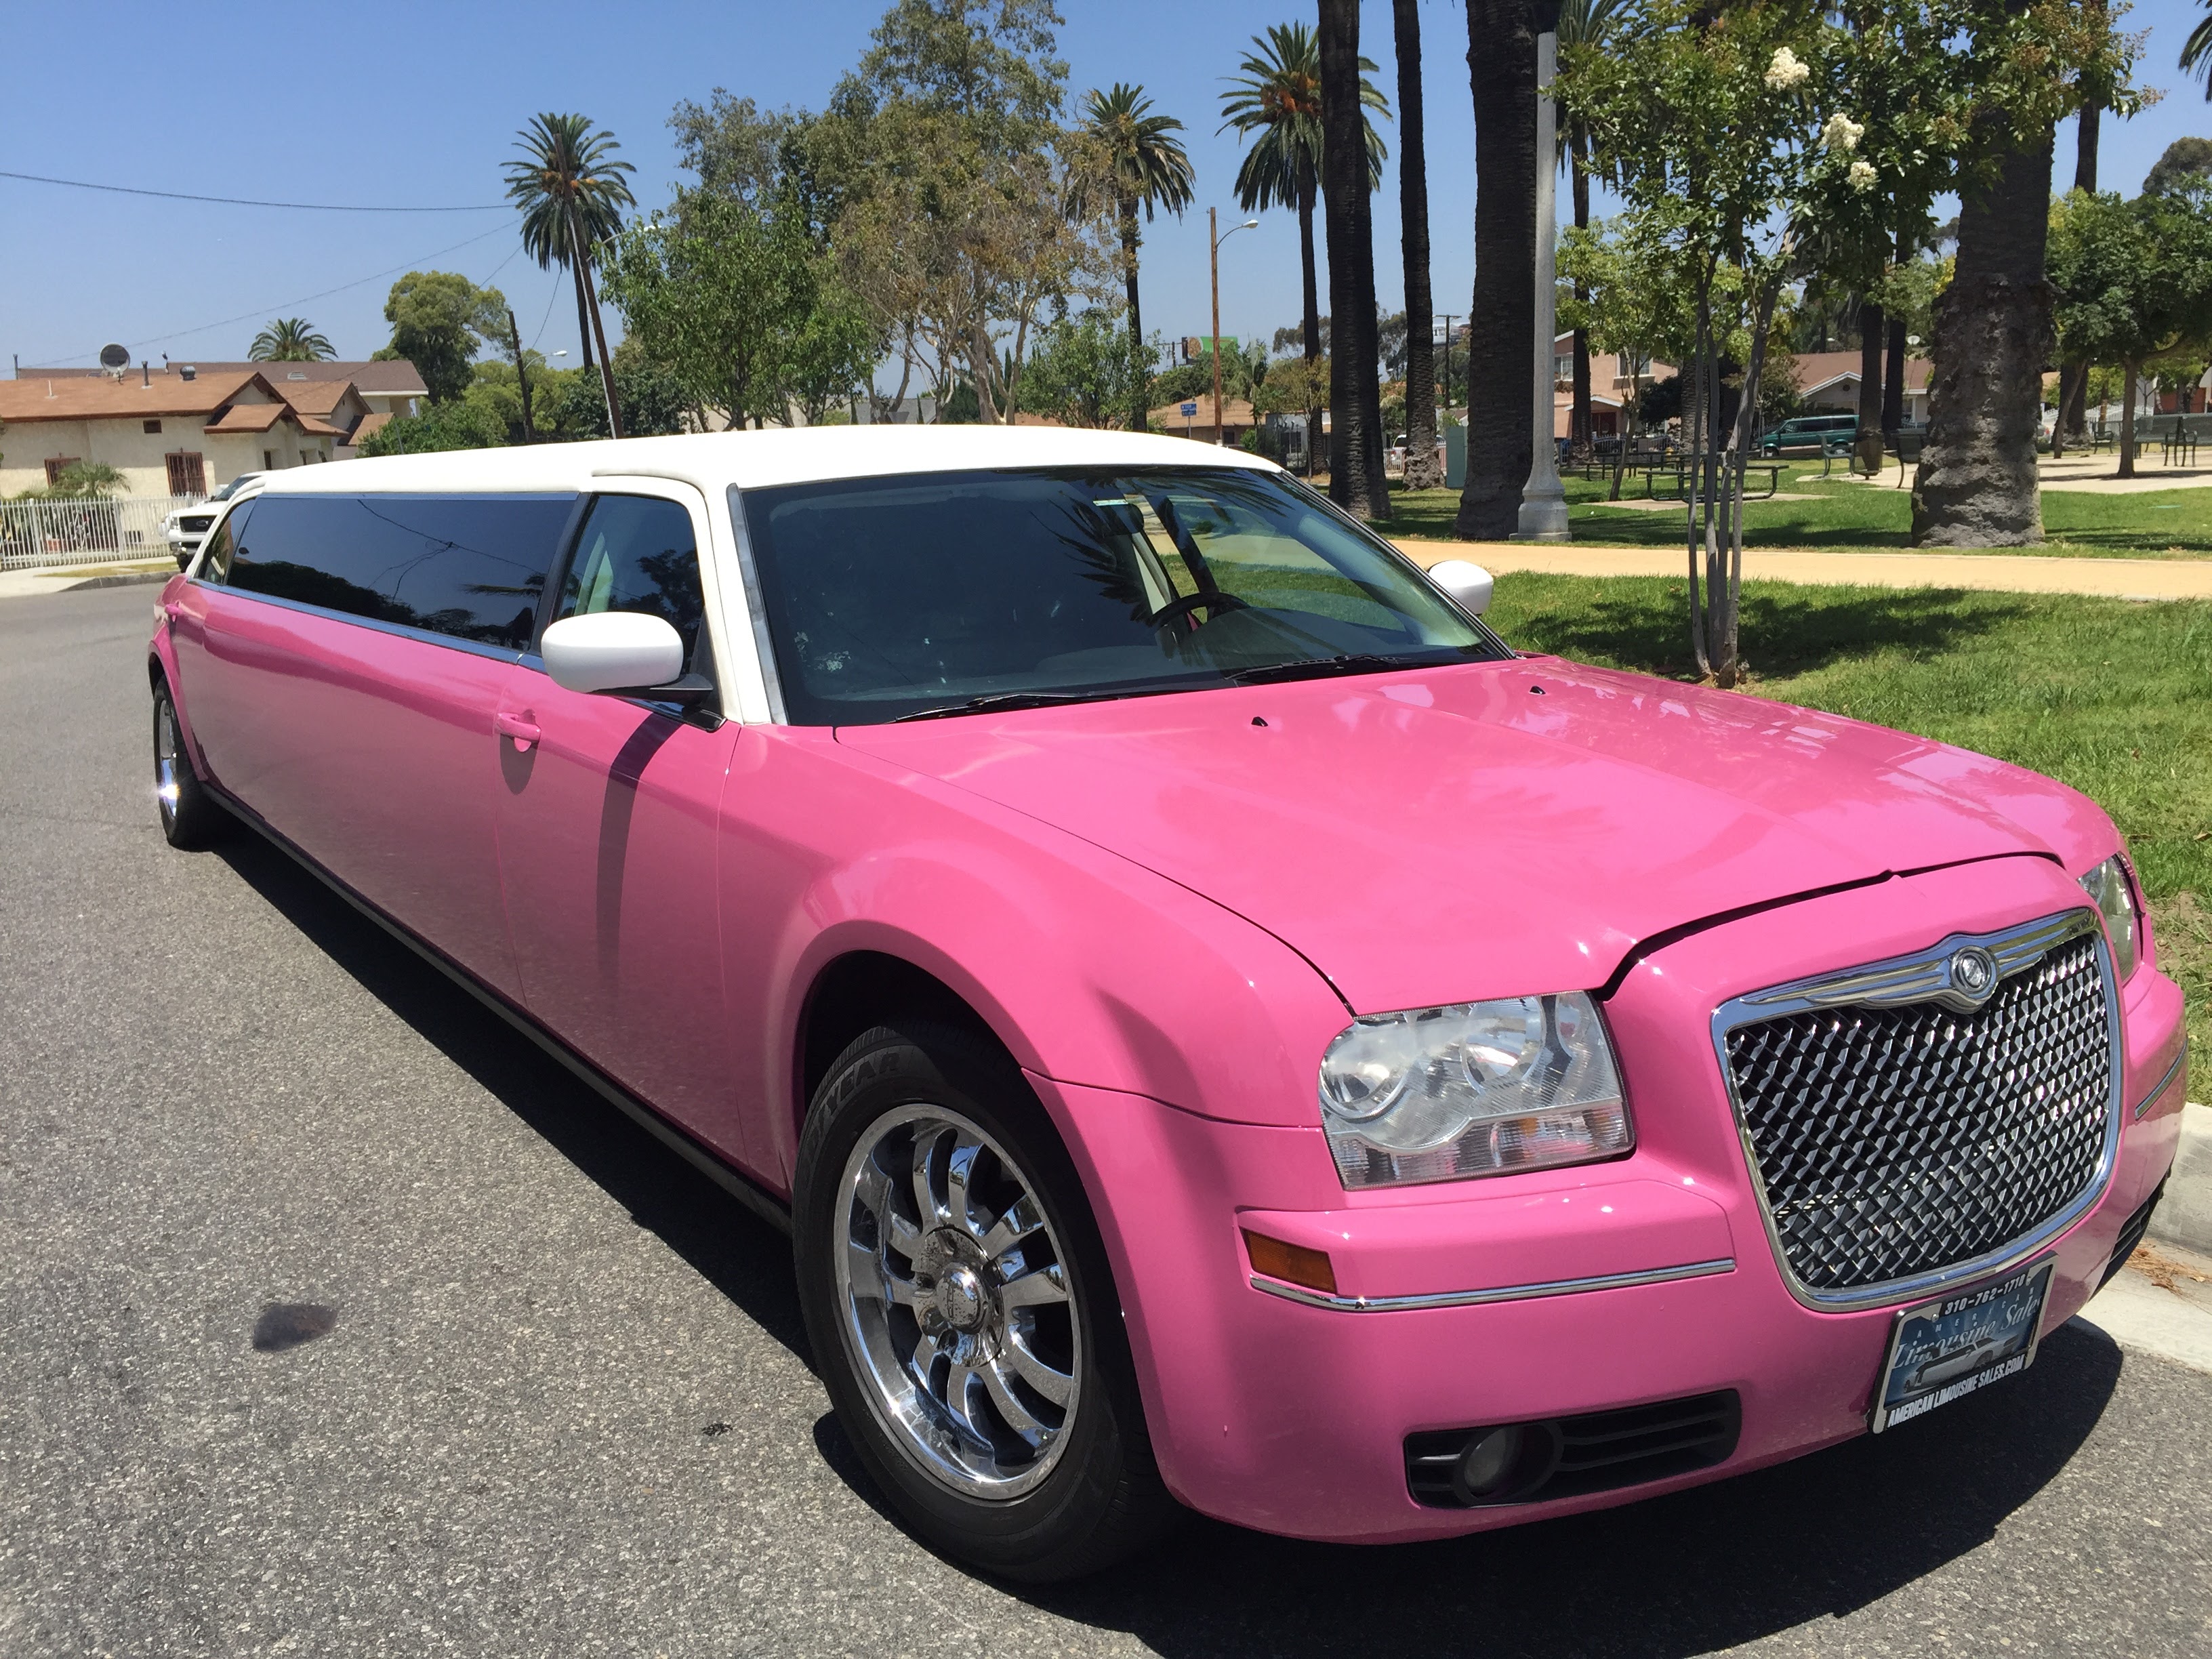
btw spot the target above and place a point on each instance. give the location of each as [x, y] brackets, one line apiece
[1784, 629]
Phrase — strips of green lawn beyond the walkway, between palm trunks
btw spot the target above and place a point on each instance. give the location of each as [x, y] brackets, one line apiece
[1861, 519]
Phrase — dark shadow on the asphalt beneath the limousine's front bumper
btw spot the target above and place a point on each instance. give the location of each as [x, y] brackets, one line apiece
[1676, 1576]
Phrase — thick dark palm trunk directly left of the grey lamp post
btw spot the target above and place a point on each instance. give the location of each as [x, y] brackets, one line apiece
[1501, 324]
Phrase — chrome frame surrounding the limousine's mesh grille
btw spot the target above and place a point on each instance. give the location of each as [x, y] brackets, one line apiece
[2016, 950]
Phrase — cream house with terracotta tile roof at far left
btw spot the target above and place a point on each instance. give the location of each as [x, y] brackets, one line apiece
[167, 435]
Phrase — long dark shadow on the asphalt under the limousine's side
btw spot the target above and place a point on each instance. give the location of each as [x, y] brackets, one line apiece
[716, 1235]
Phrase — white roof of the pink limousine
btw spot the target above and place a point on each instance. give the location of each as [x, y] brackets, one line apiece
[755, 459]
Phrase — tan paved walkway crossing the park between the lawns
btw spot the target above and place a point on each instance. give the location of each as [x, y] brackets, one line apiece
[1992, 572]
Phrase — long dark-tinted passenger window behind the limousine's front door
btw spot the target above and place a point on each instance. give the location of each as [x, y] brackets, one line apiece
[459, 565]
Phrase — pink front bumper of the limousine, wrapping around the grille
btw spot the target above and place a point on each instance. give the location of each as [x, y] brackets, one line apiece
[1472, 1304]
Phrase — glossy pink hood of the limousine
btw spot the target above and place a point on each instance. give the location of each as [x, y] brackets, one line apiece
[1496, 828]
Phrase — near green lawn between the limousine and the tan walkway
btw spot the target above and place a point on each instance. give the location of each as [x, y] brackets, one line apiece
[2109, 696]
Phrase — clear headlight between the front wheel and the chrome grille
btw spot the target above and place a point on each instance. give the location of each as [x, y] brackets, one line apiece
[1472, 1089]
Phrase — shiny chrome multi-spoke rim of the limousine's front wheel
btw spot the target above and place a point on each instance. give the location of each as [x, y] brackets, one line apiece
[957, 1304]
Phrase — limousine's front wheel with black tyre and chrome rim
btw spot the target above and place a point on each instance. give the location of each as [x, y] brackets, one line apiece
[963, 1315]
